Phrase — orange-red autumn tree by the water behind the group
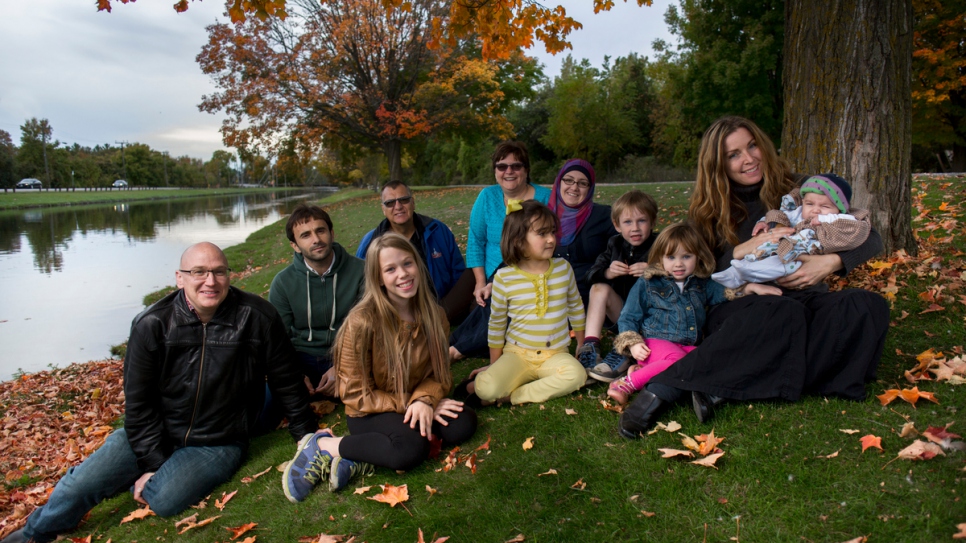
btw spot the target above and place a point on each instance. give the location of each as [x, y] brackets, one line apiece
[346, 73]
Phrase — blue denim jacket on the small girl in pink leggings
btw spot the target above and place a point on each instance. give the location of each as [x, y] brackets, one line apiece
[656, 308]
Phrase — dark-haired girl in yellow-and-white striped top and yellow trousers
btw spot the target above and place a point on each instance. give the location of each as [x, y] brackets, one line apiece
[534, 298]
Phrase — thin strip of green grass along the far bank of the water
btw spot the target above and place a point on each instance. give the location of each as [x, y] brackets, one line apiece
[27, 198]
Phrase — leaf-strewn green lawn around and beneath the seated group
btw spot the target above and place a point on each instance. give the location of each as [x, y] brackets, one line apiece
[773, 483]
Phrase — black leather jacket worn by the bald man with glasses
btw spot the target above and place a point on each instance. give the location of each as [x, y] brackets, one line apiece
[193, 384]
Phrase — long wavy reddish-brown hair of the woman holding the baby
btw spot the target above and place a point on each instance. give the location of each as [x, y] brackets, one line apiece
[715, 209]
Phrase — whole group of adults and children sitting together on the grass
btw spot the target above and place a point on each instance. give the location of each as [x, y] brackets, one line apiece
[727, 306]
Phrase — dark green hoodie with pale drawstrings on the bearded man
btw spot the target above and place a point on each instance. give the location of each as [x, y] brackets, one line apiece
[313, 306]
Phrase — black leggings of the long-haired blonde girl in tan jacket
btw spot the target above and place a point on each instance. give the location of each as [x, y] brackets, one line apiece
[385, 440]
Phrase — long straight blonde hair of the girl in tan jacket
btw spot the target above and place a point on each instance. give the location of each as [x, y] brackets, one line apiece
[382, 322]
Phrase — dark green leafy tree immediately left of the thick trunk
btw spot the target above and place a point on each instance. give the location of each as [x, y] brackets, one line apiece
[728, 62]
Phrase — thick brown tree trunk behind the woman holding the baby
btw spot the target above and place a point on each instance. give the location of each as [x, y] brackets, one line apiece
[847, 76]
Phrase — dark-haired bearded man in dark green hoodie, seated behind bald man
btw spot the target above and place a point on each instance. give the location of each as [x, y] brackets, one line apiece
[315, 293]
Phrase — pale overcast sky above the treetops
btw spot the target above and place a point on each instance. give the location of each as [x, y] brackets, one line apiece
[131, 75]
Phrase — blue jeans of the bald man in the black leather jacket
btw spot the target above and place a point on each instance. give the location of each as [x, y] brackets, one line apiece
[189, 474]
